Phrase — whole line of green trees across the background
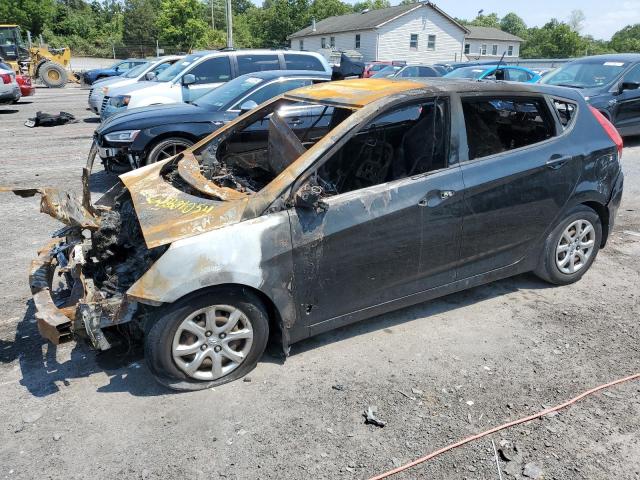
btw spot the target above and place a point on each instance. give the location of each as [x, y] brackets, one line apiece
[129, 27]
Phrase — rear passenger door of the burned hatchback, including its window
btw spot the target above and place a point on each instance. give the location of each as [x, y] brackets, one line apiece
[519, 174]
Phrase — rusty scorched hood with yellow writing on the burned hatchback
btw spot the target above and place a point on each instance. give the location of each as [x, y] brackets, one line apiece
[167, 214]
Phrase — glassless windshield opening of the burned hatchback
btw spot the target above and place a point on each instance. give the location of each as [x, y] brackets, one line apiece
[247, 157]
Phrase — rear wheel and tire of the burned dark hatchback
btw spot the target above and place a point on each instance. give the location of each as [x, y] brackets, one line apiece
[571, 248]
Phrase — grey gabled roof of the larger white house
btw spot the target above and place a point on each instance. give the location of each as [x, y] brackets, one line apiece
[367, 20]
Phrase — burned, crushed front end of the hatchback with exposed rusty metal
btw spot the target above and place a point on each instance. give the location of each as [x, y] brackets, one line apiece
[80, 278]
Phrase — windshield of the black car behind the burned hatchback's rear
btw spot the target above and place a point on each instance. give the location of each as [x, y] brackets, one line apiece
[585, 74]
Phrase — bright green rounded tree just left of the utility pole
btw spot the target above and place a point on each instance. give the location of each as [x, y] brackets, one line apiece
[180, 23]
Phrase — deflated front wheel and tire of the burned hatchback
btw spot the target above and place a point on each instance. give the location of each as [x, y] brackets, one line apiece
[195, 370]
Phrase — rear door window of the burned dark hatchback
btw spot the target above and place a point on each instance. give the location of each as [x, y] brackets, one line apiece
[497, 125]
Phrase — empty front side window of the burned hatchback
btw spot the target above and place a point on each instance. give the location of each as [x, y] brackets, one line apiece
[406, 141]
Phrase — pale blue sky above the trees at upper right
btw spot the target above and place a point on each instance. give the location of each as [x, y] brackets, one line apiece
[603, 18]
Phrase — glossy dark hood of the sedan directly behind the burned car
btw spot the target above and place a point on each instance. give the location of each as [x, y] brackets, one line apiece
[153, 116]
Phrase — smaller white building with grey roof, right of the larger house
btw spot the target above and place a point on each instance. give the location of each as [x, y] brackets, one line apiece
[486, 43]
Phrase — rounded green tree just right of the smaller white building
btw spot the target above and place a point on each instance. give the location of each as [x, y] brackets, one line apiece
[554, 40]
